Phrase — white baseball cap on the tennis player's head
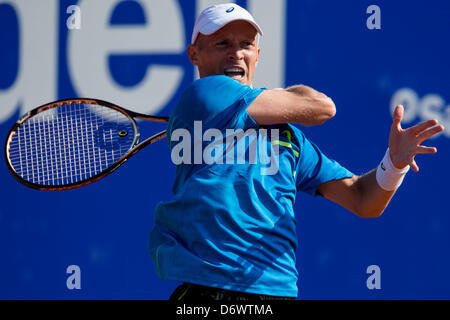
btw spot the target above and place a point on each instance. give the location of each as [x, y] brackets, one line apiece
[215, 17]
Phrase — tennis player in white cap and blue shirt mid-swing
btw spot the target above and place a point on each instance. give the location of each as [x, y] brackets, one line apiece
[229, 232]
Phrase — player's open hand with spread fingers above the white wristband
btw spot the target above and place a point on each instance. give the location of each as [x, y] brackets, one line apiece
[404, 144]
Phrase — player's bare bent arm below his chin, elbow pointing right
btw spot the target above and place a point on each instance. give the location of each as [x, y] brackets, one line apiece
[297, 104]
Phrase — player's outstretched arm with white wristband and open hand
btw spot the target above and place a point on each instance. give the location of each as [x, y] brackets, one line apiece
[369, 195]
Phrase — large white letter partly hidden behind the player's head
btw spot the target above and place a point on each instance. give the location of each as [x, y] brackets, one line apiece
[271, 16]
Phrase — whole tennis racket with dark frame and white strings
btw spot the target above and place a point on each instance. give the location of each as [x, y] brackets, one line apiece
[71, 143]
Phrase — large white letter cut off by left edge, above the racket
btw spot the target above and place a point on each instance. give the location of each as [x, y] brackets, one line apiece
[35, 83]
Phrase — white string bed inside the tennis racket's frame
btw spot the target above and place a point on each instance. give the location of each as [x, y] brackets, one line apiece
[71, 145]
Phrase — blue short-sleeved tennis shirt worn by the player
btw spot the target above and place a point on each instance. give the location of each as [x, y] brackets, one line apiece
[230, 224]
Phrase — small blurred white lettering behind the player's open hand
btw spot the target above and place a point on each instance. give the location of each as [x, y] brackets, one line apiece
[431, 106]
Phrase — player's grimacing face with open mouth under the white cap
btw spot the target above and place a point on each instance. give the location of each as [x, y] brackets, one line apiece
[232, 51]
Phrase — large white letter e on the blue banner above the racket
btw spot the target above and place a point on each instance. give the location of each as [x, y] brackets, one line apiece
[89, 49]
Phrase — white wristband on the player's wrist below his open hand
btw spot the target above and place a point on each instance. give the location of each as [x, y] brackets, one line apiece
[388, 176]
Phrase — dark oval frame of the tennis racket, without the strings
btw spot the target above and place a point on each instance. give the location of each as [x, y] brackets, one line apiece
[134, 148]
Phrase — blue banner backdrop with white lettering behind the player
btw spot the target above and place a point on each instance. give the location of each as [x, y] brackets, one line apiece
[133, 53]
